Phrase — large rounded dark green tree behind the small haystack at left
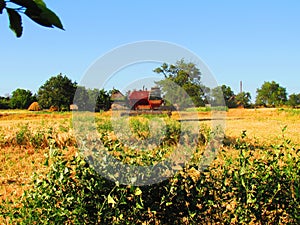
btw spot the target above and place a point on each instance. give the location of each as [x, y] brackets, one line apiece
[57, 91]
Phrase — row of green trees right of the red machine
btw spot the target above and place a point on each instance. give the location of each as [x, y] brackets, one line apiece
[188, 77]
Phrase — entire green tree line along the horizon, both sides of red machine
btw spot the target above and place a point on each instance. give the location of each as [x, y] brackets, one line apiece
[59, 91]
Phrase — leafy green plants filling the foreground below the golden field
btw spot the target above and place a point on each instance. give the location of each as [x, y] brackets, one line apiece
[258, 185]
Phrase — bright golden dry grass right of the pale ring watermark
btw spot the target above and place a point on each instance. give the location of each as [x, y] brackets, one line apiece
[263, 125]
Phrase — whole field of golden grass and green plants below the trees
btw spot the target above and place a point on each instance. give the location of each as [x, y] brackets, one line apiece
[254, 178]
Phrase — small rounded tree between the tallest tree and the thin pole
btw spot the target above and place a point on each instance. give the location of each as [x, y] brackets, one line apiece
[221, 94]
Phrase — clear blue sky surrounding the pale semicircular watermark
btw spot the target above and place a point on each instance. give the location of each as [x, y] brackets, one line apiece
[253, 41]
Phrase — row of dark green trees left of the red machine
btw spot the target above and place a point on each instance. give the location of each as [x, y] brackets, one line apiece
[57, 92]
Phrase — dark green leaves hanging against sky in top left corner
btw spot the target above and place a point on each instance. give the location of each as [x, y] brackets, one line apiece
[36, 10]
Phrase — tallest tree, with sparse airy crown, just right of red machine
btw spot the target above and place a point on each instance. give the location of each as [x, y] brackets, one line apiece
[182, 80]
